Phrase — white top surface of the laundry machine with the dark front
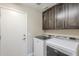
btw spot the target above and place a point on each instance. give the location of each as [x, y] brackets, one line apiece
[64, 44]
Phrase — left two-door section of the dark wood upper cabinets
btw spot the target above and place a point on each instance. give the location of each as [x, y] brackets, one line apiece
[49, 19]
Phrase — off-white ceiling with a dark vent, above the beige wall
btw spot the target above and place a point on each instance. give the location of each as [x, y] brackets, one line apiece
[40, 6]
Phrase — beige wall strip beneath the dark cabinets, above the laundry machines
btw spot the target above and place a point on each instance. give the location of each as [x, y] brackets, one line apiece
[65, 32]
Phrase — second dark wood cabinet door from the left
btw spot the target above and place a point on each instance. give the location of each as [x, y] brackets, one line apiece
[52, 18]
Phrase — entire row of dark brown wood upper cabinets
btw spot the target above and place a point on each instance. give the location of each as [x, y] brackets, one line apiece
[62, 16]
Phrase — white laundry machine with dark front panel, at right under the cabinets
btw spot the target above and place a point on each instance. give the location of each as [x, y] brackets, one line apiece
[62, 47]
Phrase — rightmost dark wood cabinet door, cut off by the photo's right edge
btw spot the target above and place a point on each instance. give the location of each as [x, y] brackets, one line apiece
[72, 16]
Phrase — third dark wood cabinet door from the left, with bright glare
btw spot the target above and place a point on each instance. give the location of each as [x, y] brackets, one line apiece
[59, 16]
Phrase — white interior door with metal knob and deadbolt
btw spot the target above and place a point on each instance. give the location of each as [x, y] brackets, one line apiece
[13, 33]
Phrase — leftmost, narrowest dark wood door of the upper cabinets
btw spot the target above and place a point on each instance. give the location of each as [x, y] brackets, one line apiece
[46, 20]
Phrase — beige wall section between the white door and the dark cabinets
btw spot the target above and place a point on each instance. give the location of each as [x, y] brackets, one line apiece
[34, 26]
